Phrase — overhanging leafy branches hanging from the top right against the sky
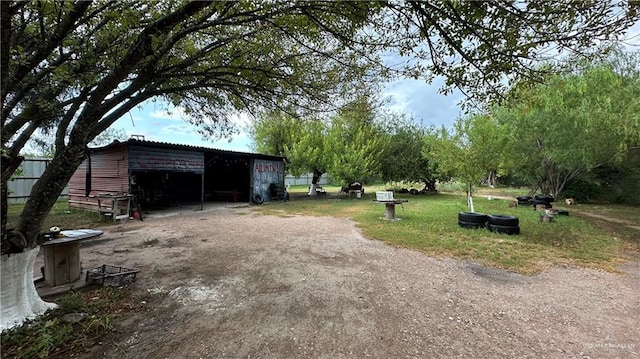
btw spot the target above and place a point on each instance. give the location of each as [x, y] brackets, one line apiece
[483, 47]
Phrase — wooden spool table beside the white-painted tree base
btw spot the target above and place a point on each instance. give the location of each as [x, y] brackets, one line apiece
[62, 257]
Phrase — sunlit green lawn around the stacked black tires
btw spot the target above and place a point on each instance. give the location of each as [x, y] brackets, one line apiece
[429, 224]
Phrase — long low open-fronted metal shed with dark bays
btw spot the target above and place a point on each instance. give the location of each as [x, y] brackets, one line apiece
[158, 174]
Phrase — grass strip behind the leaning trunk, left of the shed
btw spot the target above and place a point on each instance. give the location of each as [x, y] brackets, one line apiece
[61, 215]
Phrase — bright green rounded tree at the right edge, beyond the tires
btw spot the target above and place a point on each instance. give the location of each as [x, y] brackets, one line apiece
[574, 123]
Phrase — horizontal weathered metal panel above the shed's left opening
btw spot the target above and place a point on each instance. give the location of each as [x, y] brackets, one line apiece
[165, 159]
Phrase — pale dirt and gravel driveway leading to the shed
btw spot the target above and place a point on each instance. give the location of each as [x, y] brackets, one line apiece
[230, 283]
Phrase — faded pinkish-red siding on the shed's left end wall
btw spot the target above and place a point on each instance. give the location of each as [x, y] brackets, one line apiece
[109, 174]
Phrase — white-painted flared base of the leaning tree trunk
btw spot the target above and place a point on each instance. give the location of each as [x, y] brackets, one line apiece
[19, 298]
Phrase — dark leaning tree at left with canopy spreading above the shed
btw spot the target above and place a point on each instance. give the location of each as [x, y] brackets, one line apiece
[77, 67]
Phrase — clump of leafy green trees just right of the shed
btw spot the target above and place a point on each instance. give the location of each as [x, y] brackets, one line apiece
[348, 144]
